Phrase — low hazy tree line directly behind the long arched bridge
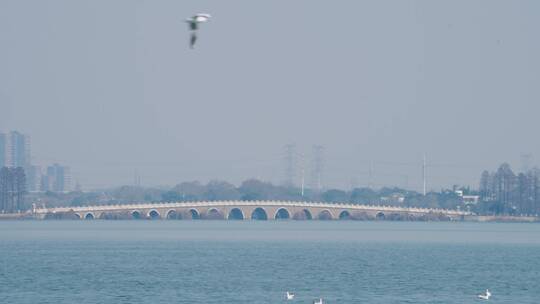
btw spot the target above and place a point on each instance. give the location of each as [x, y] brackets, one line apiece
[253, 189]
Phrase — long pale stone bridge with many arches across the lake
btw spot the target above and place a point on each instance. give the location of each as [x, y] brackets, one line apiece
[245, 210]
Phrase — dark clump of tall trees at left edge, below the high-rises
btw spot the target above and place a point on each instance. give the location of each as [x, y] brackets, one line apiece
[12, 189]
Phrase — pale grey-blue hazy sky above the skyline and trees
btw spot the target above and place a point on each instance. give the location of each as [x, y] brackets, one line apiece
[111, 87]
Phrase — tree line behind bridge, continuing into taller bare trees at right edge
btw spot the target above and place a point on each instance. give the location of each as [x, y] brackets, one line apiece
[502, 192]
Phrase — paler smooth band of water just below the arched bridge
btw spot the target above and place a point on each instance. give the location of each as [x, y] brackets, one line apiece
[320, 231]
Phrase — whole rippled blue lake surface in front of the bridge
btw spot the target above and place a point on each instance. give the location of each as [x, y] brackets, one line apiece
[256, 262]
